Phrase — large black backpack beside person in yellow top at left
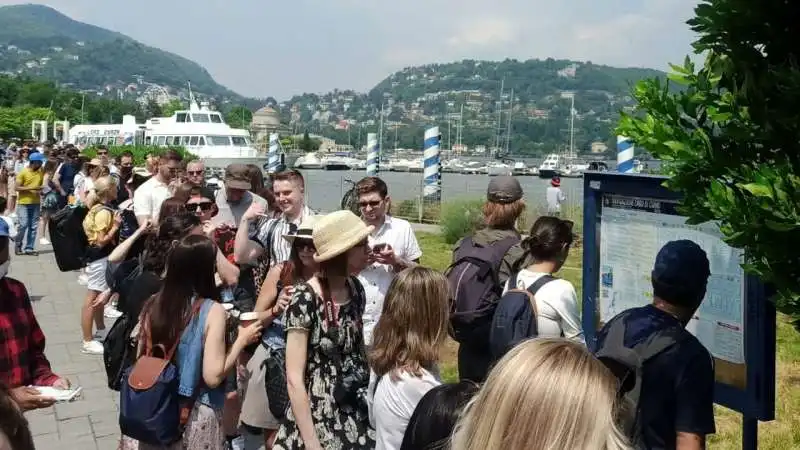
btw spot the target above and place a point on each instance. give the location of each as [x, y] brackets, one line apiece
[68, 238]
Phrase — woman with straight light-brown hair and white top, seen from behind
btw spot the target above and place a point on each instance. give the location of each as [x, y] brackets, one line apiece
[405, 349]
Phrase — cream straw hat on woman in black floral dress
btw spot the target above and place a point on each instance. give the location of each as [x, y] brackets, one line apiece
[337, 233]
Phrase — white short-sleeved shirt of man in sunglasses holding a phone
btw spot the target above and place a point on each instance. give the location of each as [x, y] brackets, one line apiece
[377, 277]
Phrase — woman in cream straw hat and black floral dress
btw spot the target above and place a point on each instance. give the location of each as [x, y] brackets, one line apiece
[326, 367]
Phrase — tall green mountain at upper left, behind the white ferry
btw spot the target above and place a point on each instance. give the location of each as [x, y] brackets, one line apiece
[37, 40]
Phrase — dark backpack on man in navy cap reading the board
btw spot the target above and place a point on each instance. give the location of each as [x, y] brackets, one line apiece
[627, 363]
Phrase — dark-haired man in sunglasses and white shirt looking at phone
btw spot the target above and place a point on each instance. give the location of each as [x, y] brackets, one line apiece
[394, 247]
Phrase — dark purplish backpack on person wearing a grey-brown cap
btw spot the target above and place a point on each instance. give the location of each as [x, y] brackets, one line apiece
[475, 288]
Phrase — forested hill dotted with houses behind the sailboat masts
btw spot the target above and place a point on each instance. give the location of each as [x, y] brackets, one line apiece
[467, 95]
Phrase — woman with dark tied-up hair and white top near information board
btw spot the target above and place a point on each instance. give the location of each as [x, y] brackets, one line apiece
[546, 249]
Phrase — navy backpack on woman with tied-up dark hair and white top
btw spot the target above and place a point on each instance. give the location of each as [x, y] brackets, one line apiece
[515, 317]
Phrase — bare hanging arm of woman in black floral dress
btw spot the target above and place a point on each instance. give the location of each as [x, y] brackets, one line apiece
[296, 354]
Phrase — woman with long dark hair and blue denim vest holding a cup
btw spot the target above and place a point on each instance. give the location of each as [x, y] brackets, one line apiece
[185, 313]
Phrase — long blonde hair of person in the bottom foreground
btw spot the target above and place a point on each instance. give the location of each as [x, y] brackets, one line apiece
[544, 394]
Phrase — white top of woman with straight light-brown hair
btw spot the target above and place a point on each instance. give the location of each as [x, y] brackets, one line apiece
[393, 403]
